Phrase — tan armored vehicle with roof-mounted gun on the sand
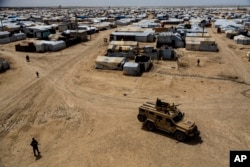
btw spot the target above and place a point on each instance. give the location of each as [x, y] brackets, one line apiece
[168, 118]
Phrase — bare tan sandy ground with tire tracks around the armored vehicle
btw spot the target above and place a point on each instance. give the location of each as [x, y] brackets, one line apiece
[82, 116]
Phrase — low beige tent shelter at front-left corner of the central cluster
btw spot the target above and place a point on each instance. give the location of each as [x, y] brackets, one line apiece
[110, 63]
